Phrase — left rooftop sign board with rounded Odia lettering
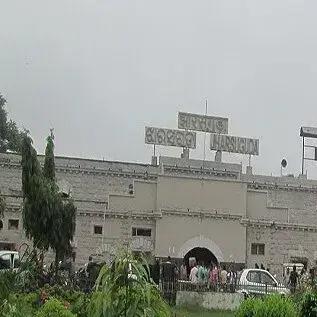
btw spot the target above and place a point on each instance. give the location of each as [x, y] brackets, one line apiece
[169, 137]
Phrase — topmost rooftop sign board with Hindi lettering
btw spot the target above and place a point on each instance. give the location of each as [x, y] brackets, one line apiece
[196, 122]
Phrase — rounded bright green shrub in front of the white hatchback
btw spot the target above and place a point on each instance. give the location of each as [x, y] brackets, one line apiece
[273, 305]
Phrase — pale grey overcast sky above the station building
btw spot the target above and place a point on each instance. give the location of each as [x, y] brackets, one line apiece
[99, 71]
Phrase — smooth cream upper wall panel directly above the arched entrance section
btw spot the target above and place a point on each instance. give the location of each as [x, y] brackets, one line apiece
[194, 194]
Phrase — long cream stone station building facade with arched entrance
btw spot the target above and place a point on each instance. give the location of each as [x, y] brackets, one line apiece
[179, 208]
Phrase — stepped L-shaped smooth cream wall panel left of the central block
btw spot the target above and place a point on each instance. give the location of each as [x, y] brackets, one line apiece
[143, 199]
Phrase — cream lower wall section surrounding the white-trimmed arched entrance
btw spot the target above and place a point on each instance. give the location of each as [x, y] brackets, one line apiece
[172, 232]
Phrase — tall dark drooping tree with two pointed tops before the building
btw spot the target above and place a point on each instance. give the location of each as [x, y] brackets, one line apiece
[48, 217]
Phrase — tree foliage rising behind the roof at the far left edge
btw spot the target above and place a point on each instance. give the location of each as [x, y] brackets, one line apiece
[10, 136]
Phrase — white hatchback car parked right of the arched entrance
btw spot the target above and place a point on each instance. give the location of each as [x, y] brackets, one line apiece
[259, 282]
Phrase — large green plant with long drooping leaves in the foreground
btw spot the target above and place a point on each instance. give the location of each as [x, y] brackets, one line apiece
[126, 290]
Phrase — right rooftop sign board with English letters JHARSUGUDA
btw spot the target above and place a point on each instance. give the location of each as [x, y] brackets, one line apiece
[228, 143]
